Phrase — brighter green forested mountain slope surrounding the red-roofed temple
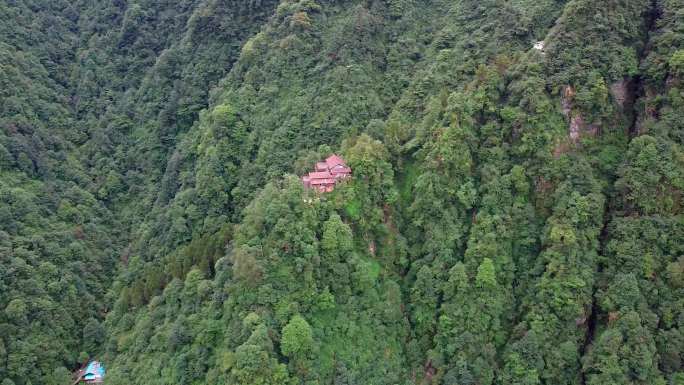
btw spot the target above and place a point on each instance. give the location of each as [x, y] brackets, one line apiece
[487, 238]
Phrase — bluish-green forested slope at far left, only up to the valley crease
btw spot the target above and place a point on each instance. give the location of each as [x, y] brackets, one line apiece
[57, 241]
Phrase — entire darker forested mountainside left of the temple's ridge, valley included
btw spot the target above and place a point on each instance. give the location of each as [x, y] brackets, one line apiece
[75, 78]
